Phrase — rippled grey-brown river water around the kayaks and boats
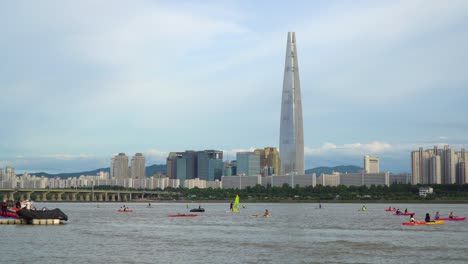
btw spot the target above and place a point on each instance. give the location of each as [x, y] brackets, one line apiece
[295, 233]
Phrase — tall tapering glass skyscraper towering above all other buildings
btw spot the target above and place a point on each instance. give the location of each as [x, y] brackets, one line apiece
[291, 127]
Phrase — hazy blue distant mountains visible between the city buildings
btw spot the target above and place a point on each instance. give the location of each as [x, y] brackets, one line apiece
[161, 168]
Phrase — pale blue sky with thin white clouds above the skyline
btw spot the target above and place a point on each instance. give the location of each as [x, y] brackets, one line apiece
[83, 80]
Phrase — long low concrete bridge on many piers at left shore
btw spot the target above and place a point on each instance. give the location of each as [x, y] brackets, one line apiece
[77, 195]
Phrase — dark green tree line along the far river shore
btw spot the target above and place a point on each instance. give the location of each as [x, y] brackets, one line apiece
[398, 193]
